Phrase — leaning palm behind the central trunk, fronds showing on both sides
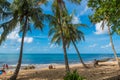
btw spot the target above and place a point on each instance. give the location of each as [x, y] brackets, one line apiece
[71, 33]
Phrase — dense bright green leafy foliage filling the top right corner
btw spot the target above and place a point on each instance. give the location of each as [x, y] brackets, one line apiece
[107, 11]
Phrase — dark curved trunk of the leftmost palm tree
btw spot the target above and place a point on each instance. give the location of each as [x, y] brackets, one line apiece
[14, 76]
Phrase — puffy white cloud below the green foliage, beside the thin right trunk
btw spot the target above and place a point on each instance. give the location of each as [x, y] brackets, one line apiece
[99, 29]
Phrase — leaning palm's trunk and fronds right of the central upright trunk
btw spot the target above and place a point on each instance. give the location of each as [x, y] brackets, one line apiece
[73, 35]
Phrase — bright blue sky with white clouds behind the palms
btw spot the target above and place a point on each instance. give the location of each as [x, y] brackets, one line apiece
[96, 39]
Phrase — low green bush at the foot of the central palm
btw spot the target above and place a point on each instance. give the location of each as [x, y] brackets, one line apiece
[73, 76]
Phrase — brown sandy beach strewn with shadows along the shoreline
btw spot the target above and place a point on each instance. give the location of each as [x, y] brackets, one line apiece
[104, 71]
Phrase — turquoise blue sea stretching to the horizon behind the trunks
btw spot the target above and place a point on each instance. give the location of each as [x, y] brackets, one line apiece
[12, 59]
